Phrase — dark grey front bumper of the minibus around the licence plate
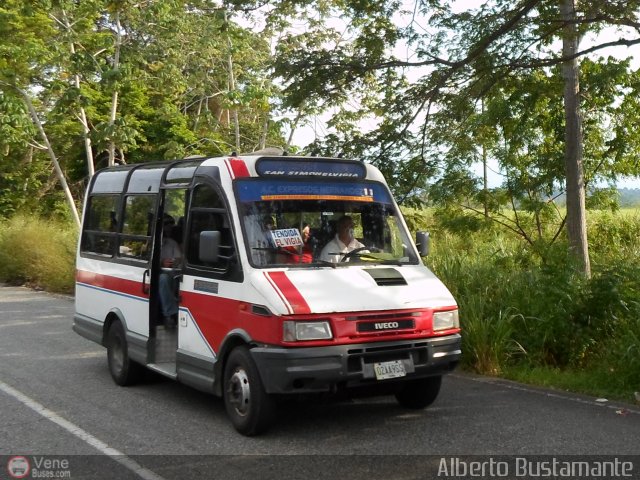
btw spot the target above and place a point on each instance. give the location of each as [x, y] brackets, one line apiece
[325, 369]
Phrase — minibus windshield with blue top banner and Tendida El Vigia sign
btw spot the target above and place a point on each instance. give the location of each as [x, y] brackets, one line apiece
[298, 223]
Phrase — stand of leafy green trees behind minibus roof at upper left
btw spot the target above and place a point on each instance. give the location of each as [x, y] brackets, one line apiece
[117, 80]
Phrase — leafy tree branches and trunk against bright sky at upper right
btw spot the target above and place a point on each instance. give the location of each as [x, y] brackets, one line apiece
[447, 87]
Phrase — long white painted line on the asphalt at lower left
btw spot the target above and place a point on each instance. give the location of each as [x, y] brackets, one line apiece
[83, 435]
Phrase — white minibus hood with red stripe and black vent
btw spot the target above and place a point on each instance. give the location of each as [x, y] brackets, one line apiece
[351, 289]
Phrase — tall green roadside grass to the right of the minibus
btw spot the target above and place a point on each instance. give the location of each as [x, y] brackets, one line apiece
[530, 315]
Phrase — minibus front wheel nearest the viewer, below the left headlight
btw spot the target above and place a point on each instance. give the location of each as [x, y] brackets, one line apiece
[250, 409]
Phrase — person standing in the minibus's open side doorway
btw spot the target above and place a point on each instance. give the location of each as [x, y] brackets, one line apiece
[170, 258]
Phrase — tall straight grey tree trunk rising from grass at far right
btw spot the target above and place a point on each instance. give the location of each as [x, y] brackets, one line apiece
[576, 211]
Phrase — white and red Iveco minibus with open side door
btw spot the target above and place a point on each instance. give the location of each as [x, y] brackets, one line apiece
[262, 313]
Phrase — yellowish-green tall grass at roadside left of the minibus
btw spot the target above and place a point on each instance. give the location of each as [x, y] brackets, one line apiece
[39, 253]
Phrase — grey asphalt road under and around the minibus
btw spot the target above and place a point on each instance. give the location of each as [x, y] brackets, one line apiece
[57, 401]
